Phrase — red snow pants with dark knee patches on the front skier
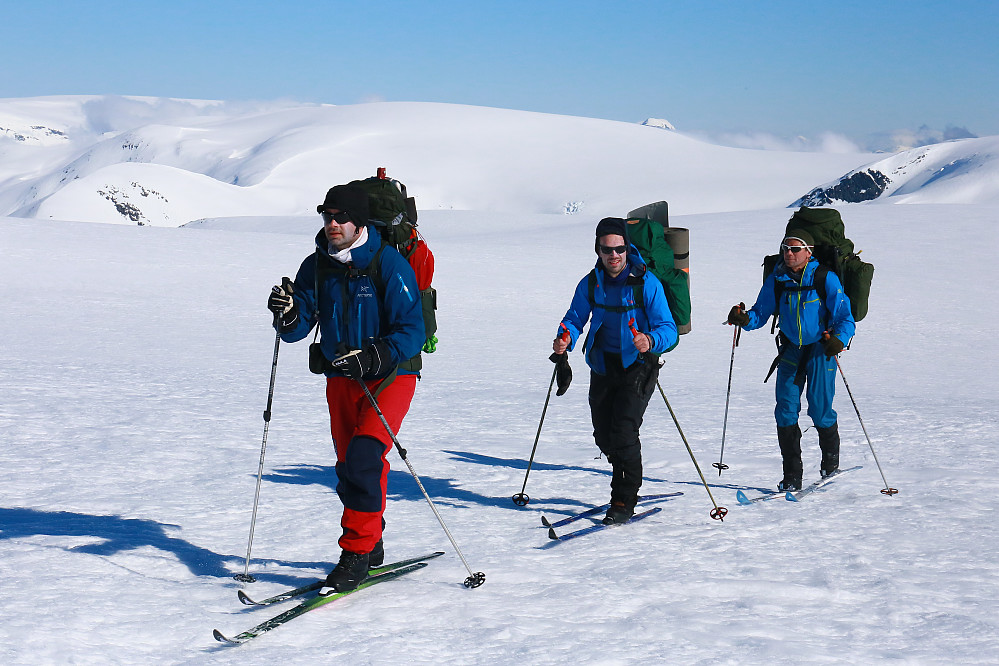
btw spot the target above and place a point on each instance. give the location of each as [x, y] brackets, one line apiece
[362, 447]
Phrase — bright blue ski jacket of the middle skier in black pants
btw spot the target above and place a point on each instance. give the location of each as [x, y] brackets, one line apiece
[653, 319]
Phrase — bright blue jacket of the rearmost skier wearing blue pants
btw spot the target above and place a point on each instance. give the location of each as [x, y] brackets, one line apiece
[803, 318]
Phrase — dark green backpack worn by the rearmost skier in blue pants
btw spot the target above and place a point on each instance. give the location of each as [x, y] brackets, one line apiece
[834, 252]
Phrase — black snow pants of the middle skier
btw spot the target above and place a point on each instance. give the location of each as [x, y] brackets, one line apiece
[618, 401]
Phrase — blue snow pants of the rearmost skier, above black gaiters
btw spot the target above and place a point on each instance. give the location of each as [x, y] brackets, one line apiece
[804, 368]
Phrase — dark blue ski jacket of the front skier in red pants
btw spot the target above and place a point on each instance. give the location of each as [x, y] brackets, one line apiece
[345, 301]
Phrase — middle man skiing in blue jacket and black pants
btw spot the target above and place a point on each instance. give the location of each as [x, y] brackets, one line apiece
[630, 323]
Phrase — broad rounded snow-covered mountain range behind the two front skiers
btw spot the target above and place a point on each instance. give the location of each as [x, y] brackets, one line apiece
[167, 162]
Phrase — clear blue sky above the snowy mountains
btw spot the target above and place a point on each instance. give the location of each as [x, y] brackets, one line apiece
[782, 67]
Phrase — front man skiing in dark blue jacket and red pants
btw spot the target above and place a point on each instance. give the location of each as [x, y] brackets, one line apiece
[364, 297]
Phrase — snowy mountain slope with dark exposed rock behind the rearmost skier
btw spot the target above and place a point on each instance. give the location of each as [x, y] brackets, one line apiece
[960, 171]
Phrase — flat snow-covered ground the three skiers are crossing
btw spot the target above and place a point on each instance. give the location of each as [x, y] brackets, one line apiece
[134, 372]
